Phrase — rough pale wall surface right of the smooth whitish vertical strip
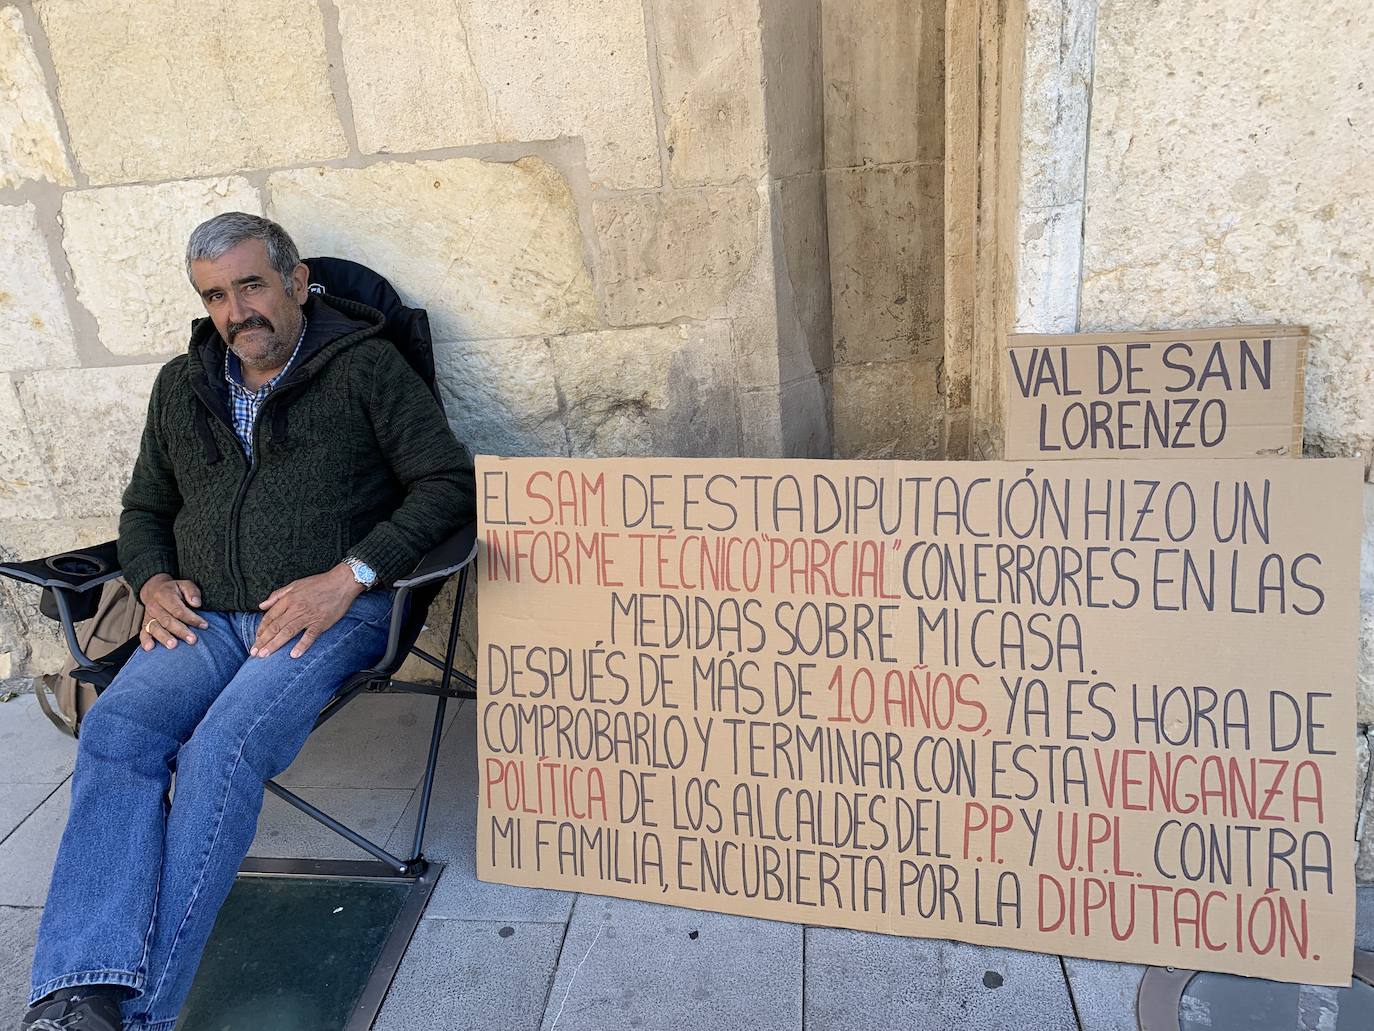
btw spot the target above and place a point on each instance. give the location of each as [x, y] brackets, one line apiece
[1236, 188]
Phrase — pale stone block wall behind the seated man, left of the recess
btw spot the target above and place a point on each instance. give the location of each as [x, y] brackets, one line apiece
[619, 230]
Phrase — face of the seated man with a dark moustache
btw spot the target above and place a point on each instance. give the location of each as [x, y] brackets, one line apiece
[249, 306]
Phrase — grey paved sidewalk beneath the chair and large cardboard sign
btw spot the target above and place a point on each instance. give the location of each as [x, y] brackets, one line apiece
[502, 959]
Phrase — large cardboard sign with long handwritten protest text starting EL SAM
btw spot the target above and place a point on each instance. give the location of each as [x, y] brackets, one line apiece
[1099, 709]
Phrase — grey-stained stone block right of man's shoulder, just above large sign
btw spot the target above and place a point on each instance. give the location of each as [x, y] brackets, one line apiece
[501, 397]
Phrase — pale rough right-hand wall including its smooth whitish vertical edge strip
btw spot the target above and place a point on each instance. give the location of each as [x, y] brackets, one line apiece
[1192, 164]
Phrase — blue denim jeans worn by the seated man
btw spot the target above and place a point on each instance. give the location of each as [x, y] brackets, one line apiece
[138, 885]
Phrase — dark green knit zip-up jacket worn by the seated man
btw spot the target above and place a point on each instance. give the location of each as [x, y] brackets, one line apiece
[351, 457]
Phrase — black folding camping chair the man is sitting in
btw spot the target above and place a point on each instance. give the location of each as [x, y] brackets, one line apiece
[72, 581]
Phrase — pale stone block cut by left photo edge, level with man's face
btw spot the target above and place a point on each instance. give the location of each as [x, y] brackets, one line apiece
[35, 328]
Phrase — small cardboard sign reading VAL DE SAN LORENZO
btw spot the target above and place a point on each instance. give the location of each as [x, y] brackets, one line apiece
[1233, 392]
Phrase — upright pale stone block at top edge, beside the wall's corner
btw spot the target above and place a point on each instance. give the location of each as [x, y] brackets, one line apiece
[711, 83]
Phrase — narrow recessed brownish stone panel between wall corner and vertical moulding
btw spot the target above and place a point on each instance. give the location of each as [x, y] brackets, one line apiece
[884, 160]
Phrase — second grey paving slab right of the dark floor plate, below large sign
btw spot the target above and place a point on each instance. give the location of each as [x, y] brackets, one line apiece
[663, 968]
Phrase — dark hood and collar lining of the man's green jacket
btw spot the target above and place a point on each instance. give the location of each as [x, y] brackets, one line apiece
[332, 328]
